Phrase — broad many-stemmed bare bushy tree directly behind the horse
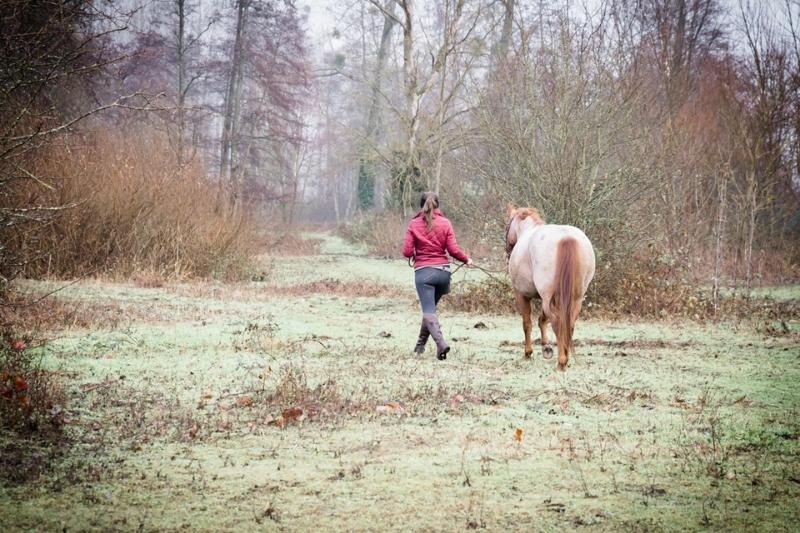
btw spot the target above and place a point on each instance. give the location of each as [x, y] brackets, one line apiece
[560, 130]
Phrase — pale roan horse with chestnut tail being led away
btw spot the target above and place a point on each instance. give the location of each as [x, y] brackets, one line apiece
[553, 263]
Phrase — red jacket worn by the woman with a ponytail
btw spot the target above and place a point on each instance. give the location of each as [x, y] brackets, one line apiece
[429, 247]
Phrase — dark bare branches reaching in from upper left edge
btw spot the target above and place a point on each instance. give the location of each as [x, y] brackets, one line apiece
[52, 53]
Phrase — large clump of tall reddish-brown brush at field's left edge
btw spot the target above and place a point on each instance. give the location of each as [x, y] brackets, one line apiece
[130, 211]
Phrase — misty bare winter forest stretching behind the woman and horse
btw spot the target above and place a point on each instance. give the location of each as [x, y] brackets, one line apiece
[668, 124]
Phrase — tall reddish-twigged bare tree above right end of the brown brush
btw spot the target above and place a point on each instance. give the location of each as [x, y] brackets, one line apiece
[266, 85]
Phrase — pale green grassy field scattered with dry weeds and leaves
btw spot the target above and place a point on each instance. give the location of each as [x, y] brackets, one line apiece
[295, 403]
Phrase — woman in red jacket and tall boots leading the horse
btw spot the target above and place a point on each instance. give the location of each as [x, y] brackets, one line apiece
[428, 237]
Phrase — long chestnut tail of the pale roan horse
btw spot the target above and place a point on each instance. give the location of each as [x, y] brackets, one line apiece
[567, 291]
